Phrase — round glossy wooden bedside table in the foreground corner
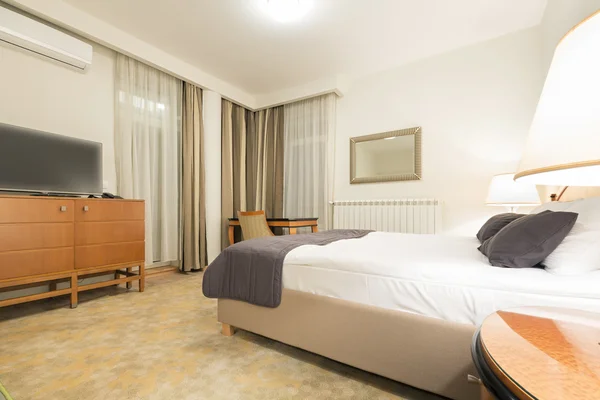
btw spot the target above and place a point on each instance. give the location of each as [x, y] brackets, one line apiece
[539, 353]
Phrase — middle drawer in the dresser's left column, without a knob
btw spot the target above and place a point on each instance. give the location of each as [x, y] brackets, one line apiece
[35, 236]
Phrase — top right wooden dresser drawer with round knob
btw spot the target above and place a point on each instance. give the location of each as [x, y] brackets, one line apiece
[87, 210]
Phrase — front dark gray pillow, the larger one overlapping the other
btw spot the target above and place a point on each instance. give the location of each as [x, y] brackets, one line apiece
[527, 241]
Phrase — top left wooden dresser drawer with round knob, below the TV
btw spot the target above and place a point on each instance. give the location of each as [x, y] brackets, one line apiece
[20, 210]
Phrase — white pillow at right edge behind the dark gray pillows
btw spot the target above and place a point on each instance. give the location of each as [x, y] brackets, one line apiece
[579, 252]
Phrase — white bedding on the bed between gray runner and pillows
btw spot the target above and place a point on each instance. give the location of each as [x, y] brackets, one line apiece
[438, 276]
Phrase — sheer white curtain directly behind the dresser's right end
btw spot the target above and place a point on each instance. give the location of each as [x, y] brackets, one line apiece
[147, 131]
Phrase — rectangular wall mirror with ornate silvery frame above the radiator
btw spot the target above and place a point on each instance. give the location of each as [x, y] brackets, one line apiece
[386, 157]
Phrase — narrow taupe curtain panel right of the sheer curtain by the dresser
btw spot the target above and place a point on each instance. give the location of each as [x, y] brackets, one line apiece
[193, 206]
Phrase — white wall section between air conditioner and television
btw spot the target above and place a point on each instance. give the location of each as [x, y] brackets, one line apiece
[40, 94]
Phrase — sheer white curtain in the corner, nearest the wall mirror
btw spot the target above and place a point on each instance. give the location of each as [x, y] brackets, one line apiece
[309, 140]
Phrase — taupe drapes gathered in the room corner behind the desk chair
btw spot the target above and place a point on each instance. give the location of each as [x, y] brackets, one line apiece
[252, 162]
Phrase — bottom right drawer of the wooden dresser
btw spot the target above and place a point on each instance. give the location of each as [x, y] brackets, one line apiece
[109, 254]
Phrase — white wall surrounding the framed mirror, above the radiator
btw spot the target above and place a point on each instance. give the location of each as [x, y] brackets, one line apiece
[475, 106]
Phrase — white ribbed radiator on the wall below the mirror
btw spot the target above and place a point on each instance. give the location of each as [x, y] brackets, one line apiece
[404, 215]
